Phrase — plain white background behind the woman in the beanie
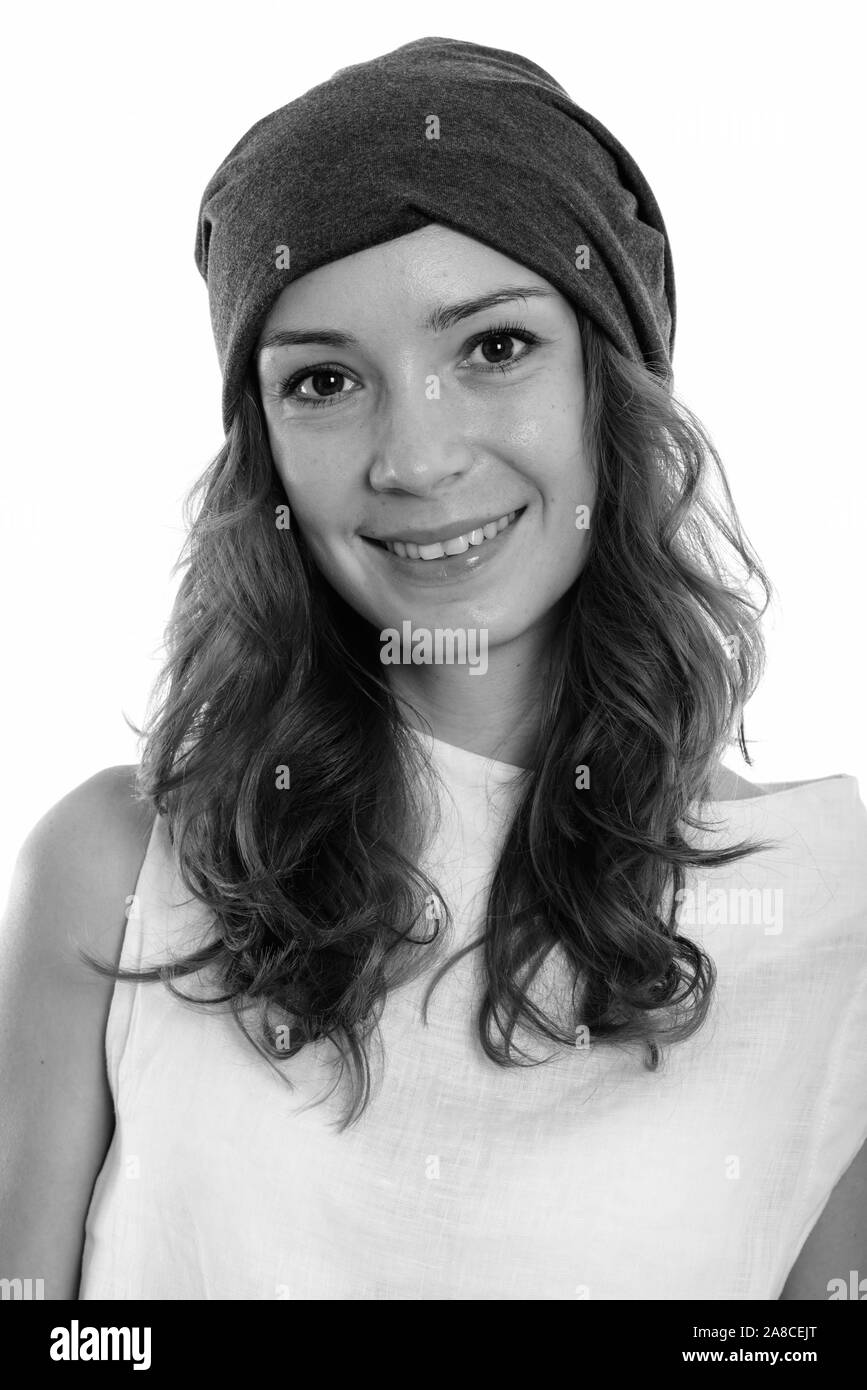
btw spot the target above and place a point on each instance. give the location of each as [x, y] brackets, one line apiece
[747, 120]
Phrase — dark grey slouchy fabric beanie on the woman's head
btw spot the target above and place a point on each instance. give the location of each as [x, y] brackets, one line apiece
[438, 131]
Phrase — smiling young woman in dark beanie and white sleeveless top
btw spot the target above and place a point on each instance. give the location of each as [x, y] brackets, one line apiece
[481, 976]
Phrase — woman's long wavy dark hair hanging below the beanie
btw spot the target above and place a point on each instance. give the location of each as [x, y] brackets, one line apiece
[316, 893]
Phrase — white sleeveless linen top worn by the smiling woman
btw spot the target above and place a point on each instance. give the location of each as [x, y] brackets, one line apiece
[584, 1178]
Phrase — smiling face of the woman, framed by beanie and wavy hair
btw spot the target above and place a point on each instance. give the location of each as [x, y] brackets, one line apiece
[387, 427]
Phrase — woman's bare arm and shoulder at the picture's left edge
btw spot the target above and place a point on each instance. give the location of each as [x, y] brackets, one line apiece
[70, 885]
